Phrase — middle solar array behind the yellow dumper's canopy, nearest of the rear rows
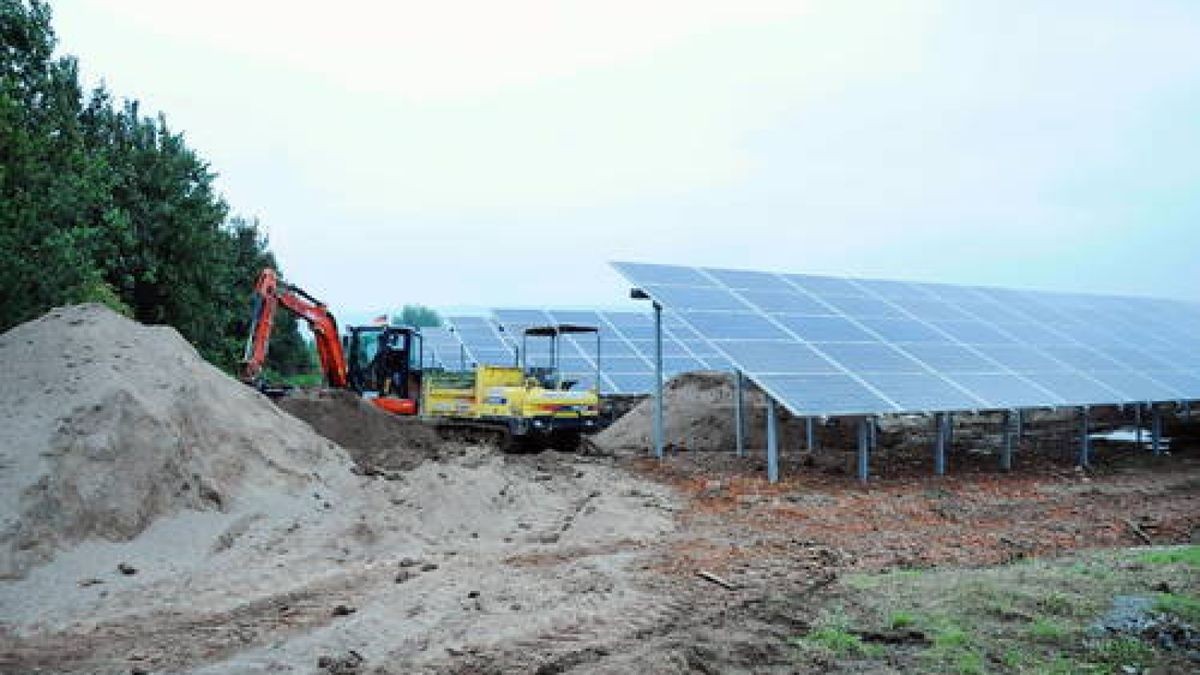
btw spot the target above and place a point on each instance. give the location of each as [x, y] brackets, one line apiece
[627, 347]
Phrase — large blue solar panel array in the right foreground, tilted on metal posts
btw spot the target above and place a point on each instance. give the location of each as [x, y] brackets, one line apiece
[826, 345]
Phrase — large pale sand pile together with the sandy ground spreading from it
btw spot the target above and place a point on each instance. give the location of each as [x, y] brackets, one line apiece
[163, 517]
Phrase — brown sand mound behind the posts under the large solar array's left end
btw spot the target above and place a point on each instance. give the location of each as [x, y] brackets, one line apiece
[699, 416]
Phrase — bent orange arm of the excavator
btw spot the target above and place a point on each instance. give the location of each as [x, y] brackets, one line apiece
[269, 294]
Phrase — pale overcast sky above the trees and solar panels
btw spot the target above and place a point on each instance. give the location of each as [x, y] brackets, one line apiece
[502, 153]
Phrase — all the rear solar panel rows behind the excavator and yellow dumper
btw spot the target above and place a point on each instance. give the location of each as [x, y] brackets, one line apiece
[626, 347]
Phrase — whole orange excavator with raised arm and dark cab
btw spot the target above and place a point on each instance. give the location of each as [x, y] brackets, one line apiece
[385, 367]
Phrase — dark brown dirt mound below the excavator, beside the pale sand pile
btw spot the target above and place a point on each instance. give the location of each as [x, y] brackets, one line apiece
[374, 438]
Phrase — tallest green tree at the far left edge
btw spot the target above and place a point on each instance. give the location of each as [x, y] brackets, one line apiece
[50, 183]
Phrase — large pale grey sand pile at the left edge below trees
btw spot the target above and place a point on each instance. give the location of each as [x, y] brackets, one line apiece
[109, 425]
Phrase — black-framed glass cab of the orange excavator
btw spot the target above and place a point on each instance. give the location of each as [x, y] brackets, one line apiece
[385, 366]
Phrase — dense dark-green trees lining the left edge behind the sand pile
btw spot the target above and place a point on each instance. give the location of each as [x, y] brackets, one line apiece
[101, 204]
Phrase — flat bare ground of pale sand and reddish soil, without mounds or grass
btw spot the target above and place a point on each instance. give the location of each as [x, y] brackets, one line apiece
[556, 563]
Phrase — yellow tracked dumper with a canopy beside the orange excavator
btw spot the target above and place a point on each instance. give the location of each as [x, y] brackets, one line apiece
[519, 407]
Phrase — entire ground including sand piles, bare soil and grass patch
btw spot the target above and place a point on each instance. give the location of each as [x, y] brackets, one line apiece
[253, 545]
